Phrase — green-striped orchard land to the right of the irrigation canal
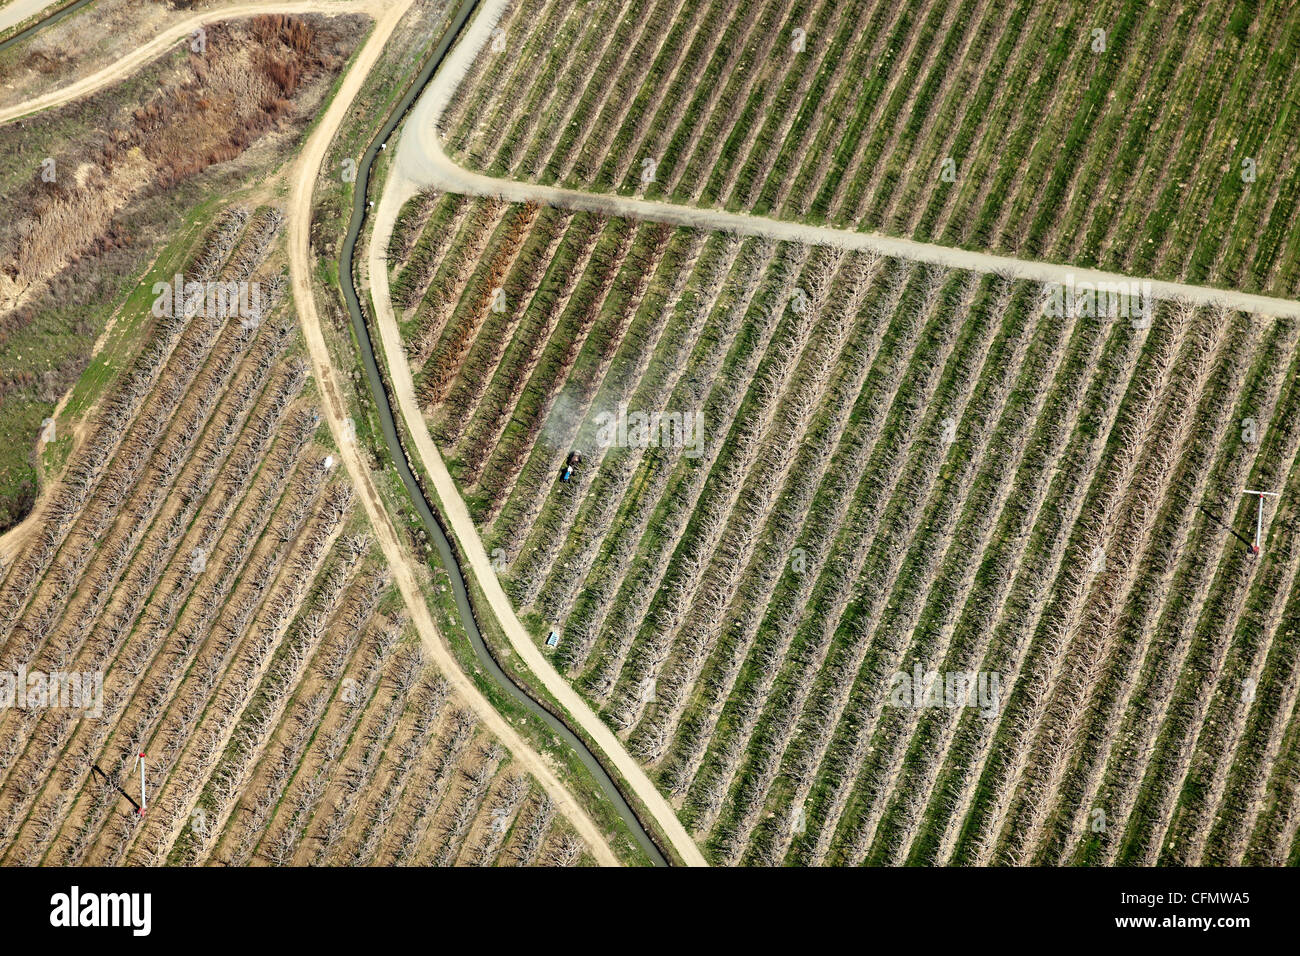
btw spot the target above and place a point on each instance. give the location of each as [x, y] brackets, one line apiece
[887, 469]
